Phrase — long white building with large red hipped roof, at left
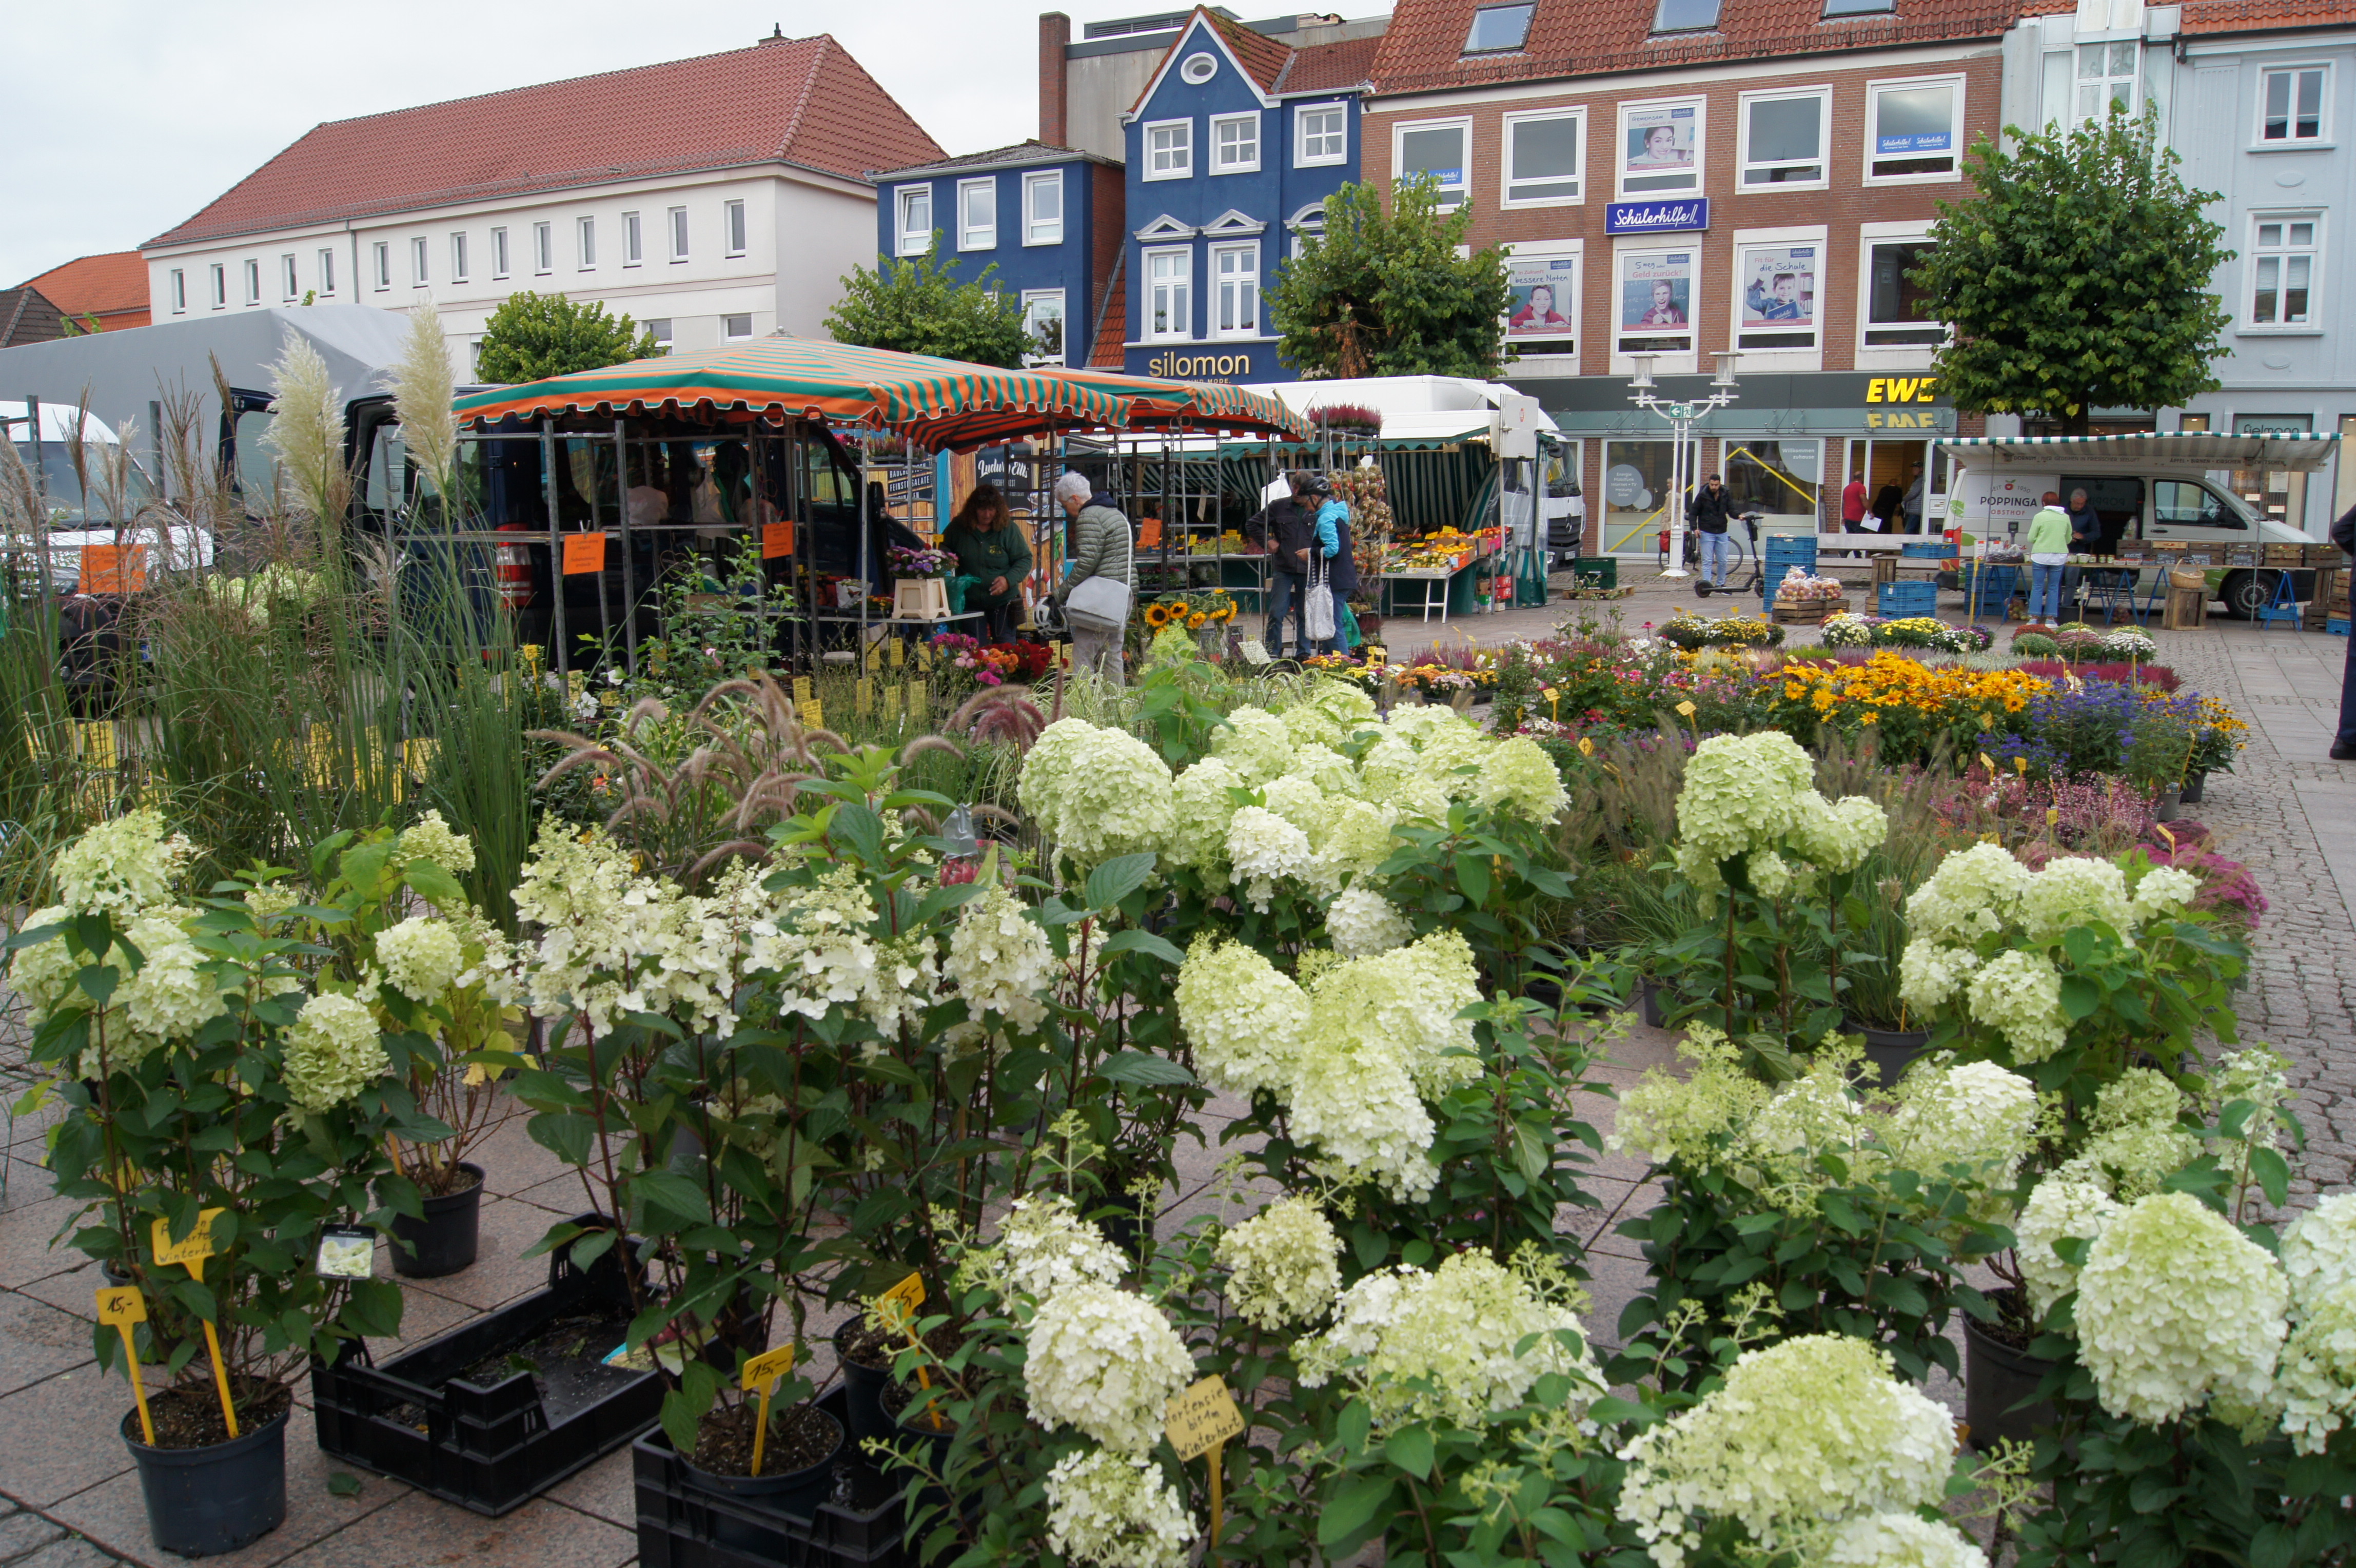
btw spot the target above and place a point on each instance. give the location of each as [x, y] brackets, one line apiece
[710, 199]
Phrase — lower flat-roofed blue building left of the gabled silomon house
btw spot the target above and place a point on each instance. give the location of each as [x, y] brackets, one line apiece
[1047, 215]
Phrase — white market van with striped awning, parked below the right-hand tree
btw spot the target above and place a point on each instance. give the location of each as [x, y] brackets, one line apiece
[2169, 489]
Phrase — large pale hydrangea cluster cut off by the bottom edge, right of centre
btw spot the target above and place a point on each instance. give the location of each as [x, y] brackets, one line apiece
[1801, 1433]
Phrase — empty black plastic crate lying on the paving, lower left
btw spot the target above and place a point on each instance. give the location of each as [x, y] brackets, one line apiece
[484, 1447]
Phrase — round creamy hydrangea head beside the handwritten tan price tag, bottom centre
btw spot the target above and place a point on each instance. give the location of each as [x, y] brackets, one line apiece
[1106, 1362]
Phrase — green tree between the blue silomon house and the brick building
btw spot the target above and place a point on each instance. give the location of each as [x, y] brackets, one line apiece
[1387, 295]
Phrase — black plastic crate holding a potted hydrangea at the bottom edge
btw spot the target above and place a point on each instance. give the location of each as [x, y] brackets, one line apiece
[687, 1527]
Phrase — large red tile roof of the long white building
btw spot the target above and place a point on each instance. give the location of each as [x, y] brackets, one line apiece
[786, 100]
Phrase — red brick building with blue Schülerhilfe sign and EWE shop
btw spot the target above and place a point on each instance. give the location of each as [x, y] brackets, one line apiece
[1688, 178]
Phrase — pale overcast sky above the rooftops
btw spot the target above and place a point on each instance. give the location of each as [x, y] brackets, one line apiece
[128, 117]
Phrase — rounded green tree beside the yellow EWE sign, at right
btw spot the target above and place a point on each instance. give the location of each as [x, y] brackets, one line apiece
[2079, 279]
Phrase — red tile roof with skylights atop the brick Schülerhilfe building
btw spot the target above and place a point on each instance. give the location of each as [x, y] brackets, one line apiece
[1424, 46]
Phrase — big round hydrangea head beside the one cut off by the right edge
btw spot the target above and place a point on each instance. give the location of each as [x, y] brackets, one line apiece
[2176, 1308]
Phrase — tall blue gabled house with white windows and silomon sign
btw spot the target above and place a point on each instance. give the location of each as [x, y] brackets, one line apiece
[1233, 150]
